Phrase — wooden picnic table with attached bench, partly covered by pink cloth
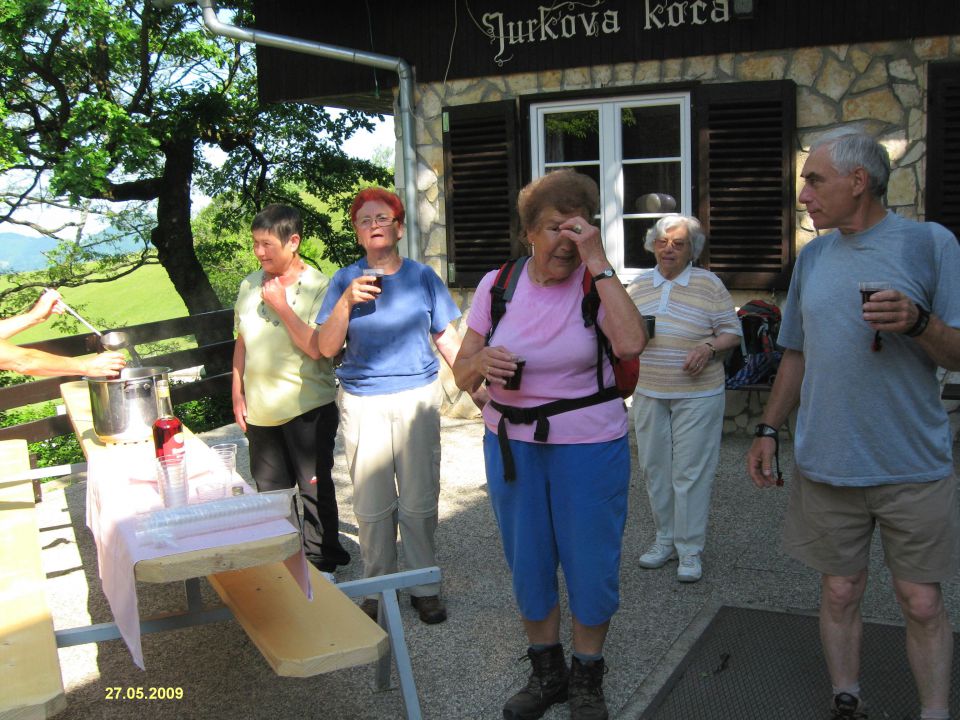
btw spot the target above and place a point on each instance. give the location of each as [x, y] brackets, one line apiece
[298, 636]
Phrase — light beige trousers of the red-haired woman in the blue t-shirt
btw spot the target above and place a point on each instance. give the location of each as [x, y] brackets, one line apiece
[392, 448]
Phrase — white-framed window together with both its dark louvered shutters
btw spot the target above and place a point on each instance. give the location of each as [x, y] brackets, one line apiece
[725, 152]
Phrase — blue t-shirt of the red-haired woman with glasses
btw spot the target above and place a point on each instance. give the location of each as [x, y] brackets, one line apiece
[388, 340]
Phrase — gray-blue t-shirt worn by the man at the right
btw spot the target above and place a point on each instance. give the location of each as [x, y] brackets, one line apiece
[870, 418]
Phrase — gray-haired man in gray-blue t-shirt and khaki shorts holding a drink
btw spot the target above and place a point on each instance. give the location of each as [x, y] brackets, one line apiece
[873, 444]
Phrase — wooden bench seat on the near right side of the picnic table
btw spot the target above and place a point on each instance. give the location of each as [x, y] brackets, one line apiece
[299, 637]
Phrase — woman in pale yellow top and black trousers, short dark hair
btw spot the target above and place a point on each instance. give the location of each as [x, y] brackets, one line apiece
[283, 390]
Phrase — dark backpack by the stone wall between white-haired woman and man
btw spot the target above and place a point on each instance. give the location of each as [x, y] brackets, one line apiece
[756, 361]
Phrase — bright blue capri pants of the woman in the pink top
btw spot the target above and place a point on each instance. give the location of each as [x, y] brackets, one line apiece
[567, 508]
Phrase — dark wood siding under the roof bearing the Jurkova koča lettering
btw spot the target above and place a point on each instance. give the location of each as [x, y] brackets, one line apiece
[443, 40]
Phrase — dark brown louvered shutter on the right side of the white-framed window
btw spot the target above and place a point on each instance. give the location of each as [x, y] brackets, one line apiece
[746, 171]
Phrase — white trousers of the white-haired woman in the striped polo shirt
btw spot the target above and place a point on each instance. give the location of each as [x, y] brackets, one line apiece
[678, 444]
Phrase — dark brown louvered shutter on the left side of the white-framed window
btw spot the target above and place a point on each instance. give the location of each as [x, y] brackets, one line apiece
[481, 176]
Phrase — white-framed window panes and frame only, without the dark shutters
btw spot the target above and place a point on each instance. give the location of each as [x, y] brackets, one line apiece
[638, 152]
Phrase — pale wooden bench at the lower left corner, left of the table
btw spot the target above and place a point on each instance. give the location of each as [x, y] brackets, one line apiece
[30, 682]
